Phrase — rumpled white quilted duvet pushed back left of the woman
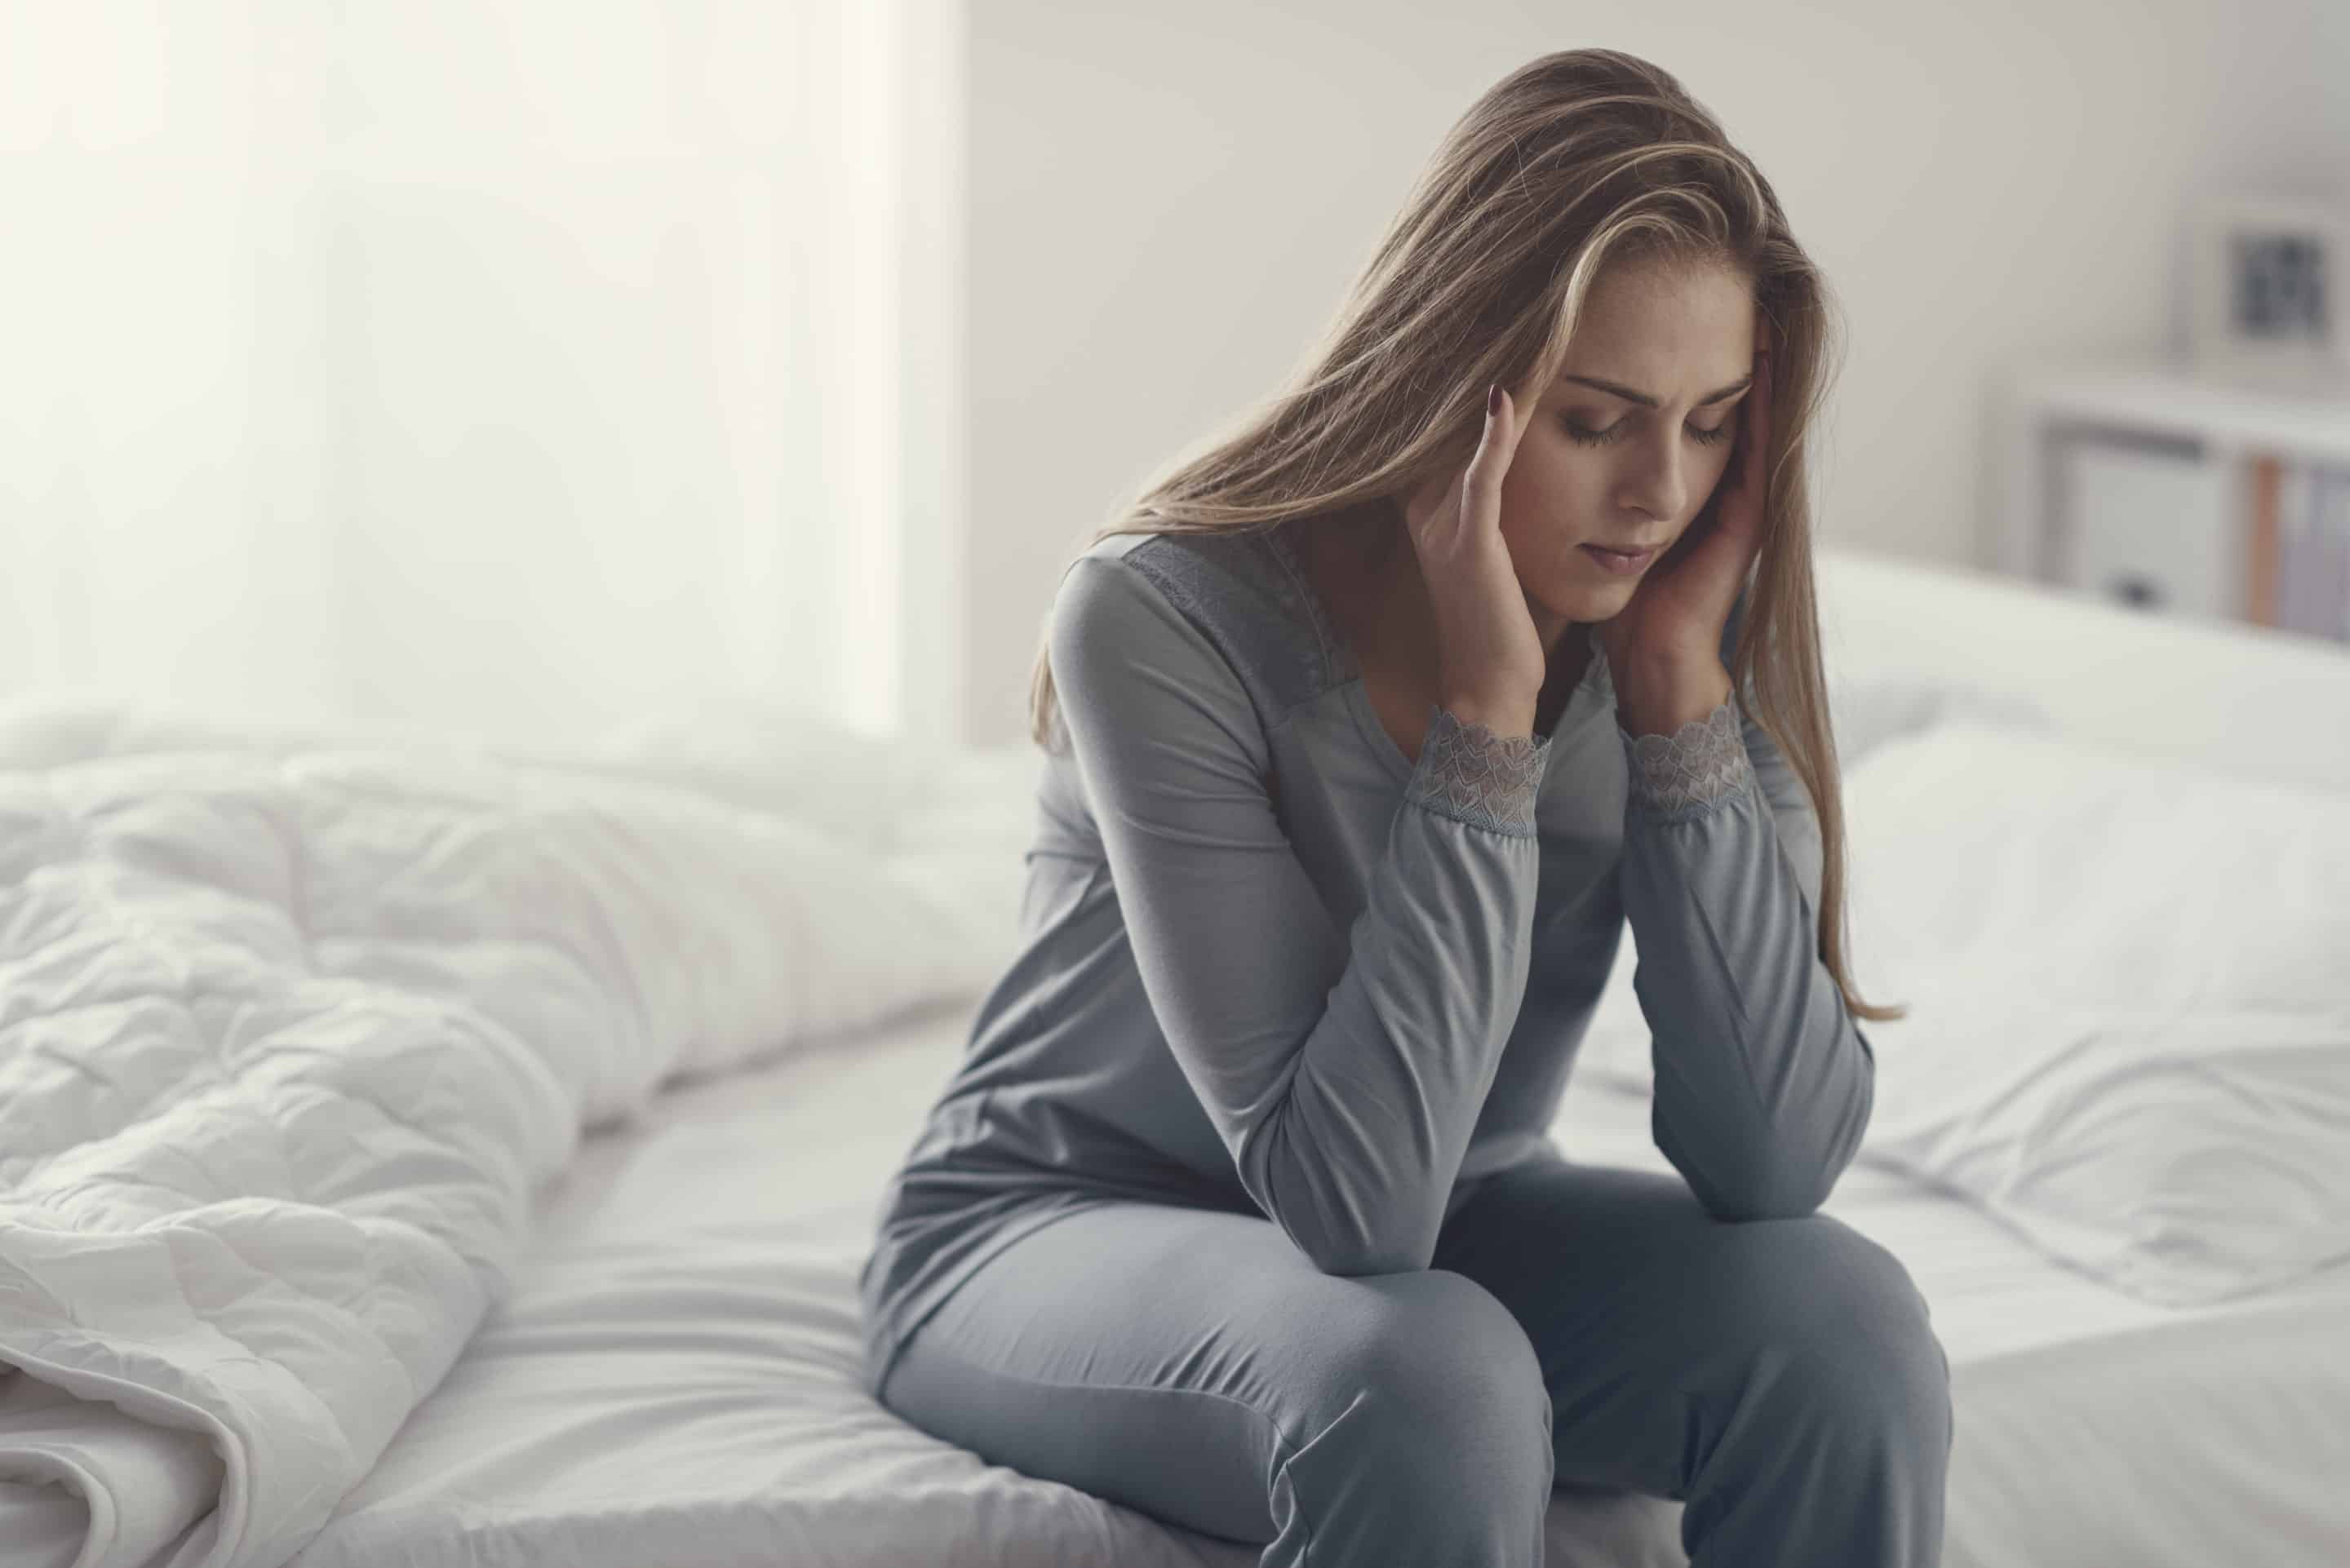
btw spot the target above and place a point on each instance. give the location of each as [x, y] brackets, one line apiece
[290, 1036]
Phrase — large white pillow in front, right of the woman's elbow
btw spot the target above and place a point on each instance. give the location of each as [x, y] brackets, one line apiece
[2130, 1003]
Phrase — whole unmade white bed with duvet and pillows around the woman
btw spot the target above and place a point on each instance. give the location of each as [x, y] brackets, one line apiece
[615, 1322]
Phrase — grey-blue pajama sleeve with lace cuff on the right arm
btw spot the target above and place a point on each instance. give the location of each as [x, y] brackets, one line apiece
[1764, 1078]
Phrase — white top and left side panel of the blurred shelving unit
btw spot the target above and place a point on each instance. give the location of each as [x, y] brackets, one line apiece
[2156, 408]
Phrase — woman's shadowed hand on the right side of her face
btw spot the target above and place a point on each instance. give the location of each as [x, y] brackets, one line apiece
[1686, 598]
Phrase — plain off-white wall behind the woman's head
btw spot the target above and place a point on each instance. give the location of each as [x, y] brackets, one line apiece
[1167, 206]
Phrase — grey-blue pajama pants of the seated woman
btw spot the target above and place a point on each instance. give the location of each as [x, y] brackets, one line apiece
[1578, 1325]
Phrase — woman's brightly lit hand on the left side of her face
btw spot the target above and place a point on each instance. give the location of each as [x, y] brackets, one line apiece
[1491, 657]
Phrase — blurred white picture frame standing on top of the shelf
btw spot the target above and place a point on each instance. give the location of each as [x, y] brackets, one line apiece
[2271, 293]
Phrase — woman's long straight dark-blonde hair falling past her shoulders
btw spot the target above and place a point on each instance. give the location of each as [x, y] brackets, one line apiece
[1573, 163]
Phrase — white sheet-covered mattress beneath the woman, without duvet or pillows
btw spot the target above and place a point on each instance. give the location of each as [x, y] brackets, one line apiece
[676, 1379]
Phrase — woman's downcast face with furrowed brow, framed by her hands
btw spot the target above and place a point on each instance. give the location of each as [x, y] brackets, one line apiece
[1632, 462]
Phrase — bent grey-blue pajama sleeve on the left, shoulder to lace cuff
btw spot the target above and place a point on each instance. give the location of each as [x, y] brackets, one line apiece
[1341, 1068]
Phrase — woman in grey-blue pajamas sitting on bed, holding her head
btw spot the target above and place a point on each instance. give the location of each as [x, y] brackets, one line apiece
[1240, 1209]
